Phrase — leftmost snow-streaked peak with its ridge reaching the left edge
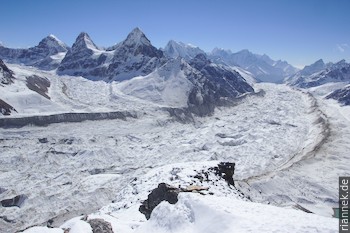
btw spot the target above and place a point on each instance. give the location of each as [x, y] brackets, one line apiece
[46, 55]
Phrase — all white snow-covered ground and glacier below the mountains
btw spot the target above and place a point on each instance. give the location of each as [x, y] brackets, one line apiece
[289, 147]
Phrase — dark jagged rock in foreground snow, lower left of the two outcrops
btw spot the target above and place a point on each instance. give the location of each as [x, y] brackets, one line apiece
[163, 192]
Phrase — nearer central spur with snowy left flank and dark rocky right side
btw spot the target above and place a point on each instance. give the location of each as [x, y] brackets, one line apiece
[199, 85]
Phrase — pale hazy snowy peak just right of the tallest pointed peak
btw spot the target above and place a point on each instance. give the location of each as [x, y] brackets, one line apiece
[178, 49]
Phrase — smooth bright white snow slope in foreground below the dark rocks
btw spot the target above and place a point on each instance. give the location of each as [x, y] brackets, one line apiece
[210, 214]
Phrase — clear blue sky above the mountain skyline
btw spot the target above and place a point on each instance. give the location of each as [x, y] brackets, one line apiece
[298, 31]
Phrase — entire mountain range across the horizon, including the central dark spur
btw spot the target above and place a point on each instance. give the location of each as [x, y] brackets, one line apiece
[137, 57]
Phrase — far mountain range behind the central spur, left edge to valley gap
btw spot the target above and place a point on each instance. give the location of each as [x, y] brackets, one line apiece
[132, 57]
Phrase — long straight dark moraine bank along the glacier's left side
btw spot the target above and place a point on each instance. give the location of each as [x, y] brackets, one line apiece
[64, 117]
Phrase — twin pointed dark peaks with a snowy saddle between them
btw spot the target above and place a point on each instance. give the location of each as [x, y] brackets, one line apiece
[133, 57]
